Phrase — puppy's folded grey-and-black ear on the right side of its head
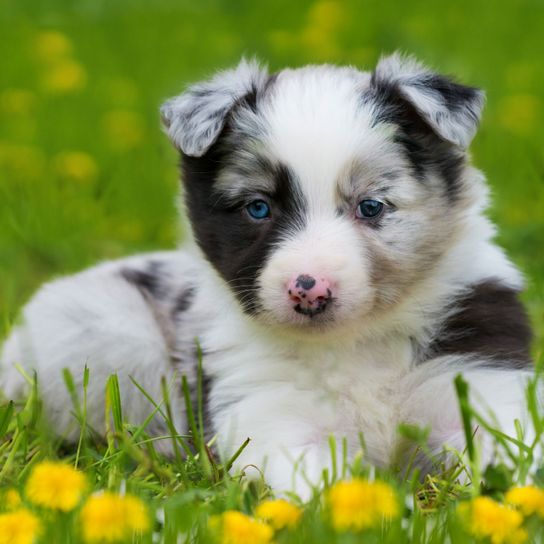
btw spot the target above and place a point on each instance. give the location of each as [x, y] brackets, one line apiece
[451, 110]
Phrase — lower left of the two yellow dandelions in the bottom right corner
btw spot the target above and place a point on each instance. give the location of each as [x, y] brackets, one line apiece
[488, 519]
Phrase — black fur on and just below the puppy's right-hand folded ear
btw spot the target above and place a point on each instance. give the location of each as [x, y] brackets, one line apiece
[426, 150]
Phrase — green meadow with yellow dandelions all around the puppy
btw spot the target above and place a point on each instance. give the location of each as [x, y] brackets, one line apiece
[86, 174]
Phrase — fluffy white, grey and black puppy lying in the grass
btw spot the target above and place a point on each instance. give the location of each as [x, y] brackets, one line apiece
[342, 273]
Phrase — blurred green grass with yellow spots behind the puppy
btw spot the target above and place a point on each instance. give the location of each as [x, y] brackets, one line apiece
[86, 174]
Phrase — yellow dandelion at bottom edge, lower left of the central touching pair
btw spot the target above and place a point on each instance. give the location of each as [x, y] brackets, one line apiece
[234, 527]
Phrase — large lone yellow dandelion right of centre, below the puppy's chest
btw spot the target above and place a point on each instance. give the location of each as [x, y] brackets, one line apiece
[360, 504]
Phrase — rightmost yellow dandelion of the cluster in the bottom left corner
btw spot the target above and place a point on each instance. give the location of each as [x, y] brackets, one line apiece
[108, 517]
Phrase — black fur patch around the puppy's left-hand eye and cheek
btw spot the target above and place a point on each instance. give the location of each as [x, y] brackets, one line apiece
[236, 245]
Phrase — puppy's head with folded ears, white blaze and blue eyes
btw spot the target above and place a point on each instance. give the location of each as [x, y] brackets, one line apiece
[323, 195]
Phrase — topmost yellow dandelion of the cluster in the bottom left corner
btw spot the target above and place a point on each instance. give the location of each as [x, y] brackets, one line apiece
[55, 485]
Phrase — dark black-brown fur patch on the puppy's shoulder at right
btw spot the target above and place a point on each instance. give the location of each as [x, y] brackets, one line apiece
[489, 321]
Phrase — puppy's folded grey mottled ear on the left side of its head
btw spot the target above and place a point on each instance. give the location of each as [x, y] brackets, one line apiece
[194, 119]
